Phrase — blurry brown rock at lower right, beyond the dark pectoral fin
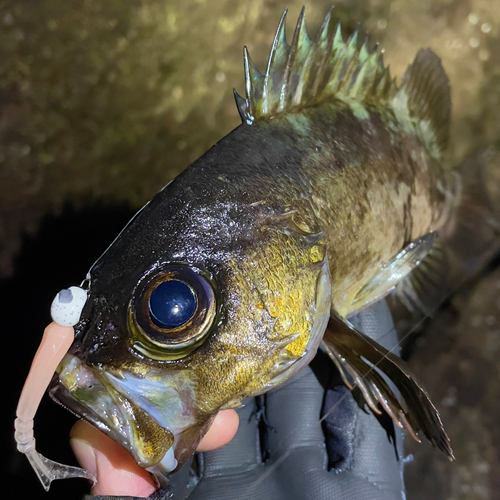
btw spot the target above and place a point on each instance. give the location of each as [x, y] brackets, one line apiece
[458, 361]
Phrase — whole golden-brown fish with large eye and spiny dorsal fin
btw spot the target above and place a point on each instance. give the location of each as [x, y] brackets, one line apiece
[332, 193]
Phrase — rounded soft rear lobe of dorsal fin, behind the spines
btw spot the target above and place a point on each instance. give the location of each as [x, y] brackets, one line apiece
[424, 99]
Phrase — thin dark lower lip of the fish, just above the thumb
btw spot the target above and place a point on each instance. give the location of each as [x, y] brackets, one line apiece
[60, 394]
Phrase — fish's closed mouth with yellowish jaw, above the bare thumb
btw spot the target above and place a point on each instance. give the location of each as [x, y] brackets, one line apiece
[87, 393]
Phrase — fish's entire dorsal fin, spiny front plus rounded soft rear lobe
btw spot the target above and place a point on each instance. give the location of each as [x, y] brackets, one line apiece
[307, 73]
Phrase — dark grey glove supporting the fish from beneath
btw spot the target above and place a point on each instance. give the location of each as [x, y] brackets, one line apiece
[283, 451]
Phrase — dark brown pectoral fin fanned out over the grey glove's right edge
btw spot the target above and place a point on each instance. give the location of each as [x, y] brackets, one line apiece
[362, 363]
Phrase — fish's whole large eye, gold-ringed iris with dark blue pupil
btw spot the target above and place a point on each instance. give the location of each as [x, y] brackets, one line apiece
[172, 312]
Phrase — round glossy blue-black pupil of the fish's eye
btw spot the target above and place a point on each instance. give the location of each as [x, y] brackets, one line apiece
[172, 304]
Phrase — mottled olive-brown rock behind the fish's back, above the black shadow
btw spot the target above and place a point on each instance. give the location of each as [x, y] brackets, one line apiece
[110, 100]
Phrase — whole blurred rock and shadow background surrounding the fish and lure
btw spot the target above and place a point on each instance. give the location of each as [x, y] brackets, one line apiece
[102, 102]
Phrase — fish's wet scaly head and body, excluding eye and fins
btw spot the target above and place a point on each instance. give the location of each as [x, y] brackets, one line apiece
[286, 218]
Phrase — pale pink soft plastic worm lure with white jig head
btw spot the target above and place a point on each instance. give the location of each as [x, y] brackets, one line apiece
[57, 339]
